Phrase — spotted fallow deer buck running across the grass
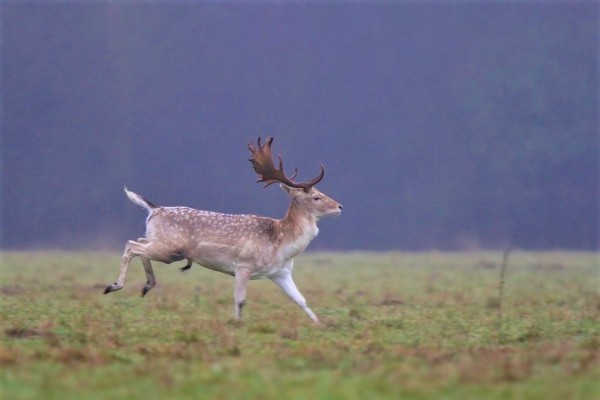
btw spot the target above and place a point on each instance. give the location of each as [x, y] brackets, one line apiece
[244, 246]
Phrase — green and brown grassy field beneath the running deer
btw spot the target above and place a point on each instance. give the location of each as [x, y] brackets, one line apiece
[396, 326]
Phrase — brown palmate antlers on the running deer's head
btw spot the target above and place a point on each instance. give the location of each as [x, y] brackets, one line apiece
[262, 162]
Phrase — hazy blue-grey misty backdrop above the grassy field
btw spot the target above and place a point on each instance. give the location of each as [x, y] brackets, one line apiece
[441, 125]
